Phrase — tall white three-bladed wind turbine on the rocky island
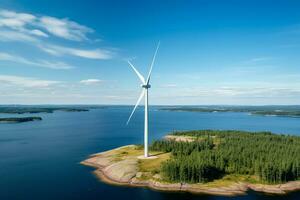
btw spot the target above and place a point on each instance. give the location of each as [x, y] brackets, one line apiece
[145, 86]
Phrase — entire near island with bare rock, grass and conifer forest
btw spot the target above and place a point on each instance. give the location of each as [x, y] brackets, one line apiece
[207, 161]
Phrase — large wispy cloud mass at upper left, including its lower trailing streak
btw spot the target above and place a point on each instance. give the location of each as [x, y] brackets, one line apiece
[37, 30]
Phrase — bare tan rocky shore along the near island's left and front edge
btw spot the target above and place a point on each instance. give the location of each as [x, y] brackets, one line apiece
[120, 167]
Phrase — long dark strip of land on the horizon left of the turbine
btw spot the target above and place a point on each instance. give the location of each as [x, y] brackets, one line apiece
[44, 109]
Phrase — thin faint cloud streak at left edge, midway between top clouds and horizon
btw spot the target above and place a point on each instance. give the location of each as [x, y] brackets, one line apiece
[38, 63]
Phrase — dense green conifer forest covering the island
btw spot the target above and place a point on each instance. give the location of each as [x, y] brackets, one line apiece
[213, 154]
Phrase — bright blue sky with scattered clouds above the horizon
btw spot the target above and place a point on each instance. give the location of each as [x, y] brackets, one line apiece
[212, 52]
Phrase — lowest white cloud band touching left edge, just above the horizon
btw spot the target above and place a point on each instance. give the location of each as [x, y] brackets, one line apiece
[25, 81]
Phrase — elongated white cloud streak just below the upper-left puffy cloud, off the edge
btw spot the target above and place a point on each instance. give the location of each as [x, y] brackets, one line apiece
[91, 54]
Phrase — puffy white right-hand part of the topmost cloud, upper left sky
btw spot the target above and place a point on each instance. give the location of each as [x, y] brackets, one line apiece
[64, 28]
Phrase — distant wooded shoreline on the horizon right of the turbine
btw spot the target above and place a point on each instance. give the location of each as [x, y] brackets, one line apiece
[285, 111]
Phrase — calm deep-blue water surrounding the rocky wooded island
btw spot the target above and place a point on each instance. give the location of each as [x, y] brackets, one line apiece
[40, 160]
